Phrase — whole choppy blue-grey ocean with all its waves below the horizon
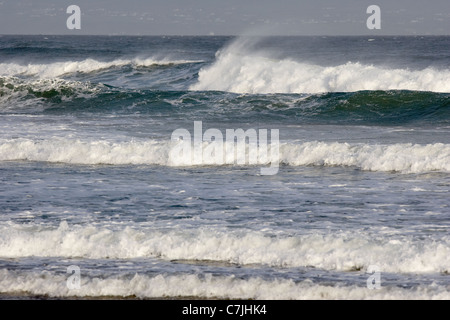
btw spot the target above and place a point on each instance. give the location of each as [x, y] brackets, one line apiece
[100, 196]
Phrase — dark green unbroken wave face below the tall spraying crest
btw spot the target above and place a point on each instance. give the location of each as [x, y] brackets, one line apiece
[361, 107]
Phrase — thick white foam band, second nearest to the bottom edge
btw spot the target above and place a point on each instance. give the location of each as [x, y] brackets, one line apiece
[341, 251]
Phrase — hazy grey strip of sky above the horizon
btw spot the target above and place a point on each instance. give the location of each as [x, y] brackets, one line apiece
[225, 17]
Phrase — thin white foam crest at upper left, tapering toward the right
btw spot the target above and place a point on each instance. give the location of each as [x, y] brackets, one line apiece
[58, 69]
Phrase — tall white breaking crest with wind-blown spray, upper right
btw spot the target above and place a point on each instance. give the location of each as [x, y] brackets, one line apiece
[241, 70]
